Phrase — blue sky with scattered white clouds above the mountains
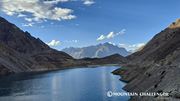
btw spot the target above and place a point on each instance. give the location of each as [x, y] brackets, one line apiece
[79, 23]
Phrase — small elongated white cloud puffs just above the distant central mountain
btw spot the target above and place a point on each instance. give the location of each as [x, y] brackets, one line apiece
[111, 35]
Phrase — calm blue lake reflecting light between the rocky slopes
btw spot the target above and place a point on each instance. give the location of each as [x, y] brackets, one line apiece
[79, 84]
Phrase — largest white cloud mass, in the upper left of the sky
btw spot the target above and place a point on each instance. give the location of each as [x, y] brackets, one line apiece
[37, 9]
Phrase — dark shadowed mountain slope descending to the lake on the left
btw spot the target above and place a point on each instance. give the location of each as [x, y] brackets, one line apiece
[20, 52]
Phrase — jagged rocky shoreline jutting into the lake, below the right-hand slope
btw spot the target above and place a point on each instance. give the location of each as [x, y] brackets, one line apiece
[151, 79]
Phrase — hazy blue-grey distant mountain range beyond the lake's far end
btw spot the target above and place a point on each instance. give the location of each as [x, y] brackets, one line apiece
[98, 51]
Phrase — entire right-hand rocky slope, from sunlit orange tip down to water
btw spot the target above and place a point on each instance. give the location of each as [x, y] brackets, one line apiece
[155, 67]
